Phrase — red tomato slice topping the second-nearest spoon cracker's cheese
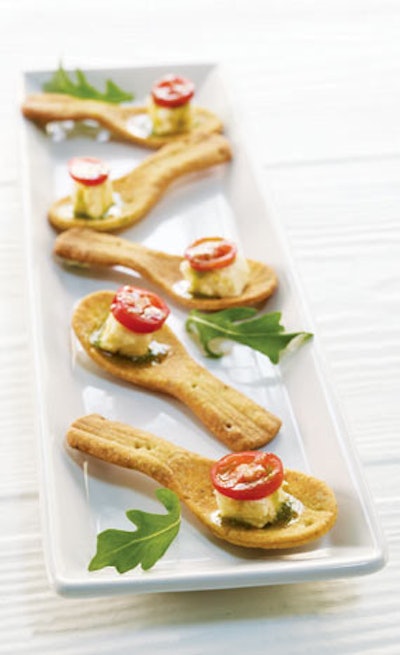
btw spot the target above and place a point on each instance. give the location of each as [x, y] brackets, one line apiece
[139, 310]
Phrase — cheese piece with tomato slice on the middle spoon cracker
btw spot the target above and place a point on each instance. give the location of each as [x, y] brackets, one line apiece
[213, 267]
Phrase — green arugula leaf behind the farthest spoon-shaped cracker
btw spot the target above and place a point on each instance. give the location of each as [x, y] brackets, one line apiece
[62, 83]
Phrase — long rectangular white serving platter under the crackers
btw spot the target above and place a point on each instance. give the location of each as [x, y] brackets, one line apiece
[81, 496]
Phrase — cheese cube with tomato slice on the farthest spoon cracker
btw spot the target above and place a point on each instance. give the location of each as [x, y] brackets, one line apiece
[170, 107]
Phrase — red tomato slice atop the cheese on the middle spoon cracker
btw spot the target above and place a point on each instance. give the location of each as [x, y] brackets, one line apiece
[210, 253]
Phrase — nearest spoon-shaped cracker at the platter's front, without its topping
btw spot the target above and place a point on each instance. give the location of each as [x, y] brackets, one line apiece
[188, 474]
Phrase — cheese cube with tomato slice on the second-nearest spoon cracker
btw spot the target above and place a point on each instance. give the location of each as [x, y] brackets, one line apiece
[133, 322]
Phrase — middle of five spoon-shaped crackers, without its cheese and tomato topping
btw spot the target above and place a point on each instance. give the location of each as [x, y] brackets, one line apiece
[87, 246]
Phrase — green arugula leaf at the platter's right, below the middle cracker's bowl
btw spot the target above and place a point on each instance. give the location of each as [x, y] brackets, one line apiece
[263, 333]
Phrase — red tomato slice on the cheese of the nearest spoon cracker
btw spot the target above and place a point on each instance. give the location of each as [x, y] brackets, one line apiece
[249, 475]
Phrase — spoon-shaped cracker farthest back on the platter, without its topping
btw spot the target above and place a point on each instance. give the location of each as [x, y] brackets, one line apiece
[124, 123]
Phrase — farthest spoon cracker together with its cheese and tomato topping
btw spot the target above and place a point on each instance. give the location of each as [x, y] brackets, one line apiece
[168, 114]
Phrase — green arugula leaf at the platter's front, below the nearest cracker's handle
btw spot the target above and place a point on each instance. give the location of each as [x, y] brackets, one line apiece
[146, 545]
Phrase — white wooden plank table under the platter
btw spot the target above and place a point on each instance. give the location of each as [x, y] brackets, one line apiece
[318, 87]
